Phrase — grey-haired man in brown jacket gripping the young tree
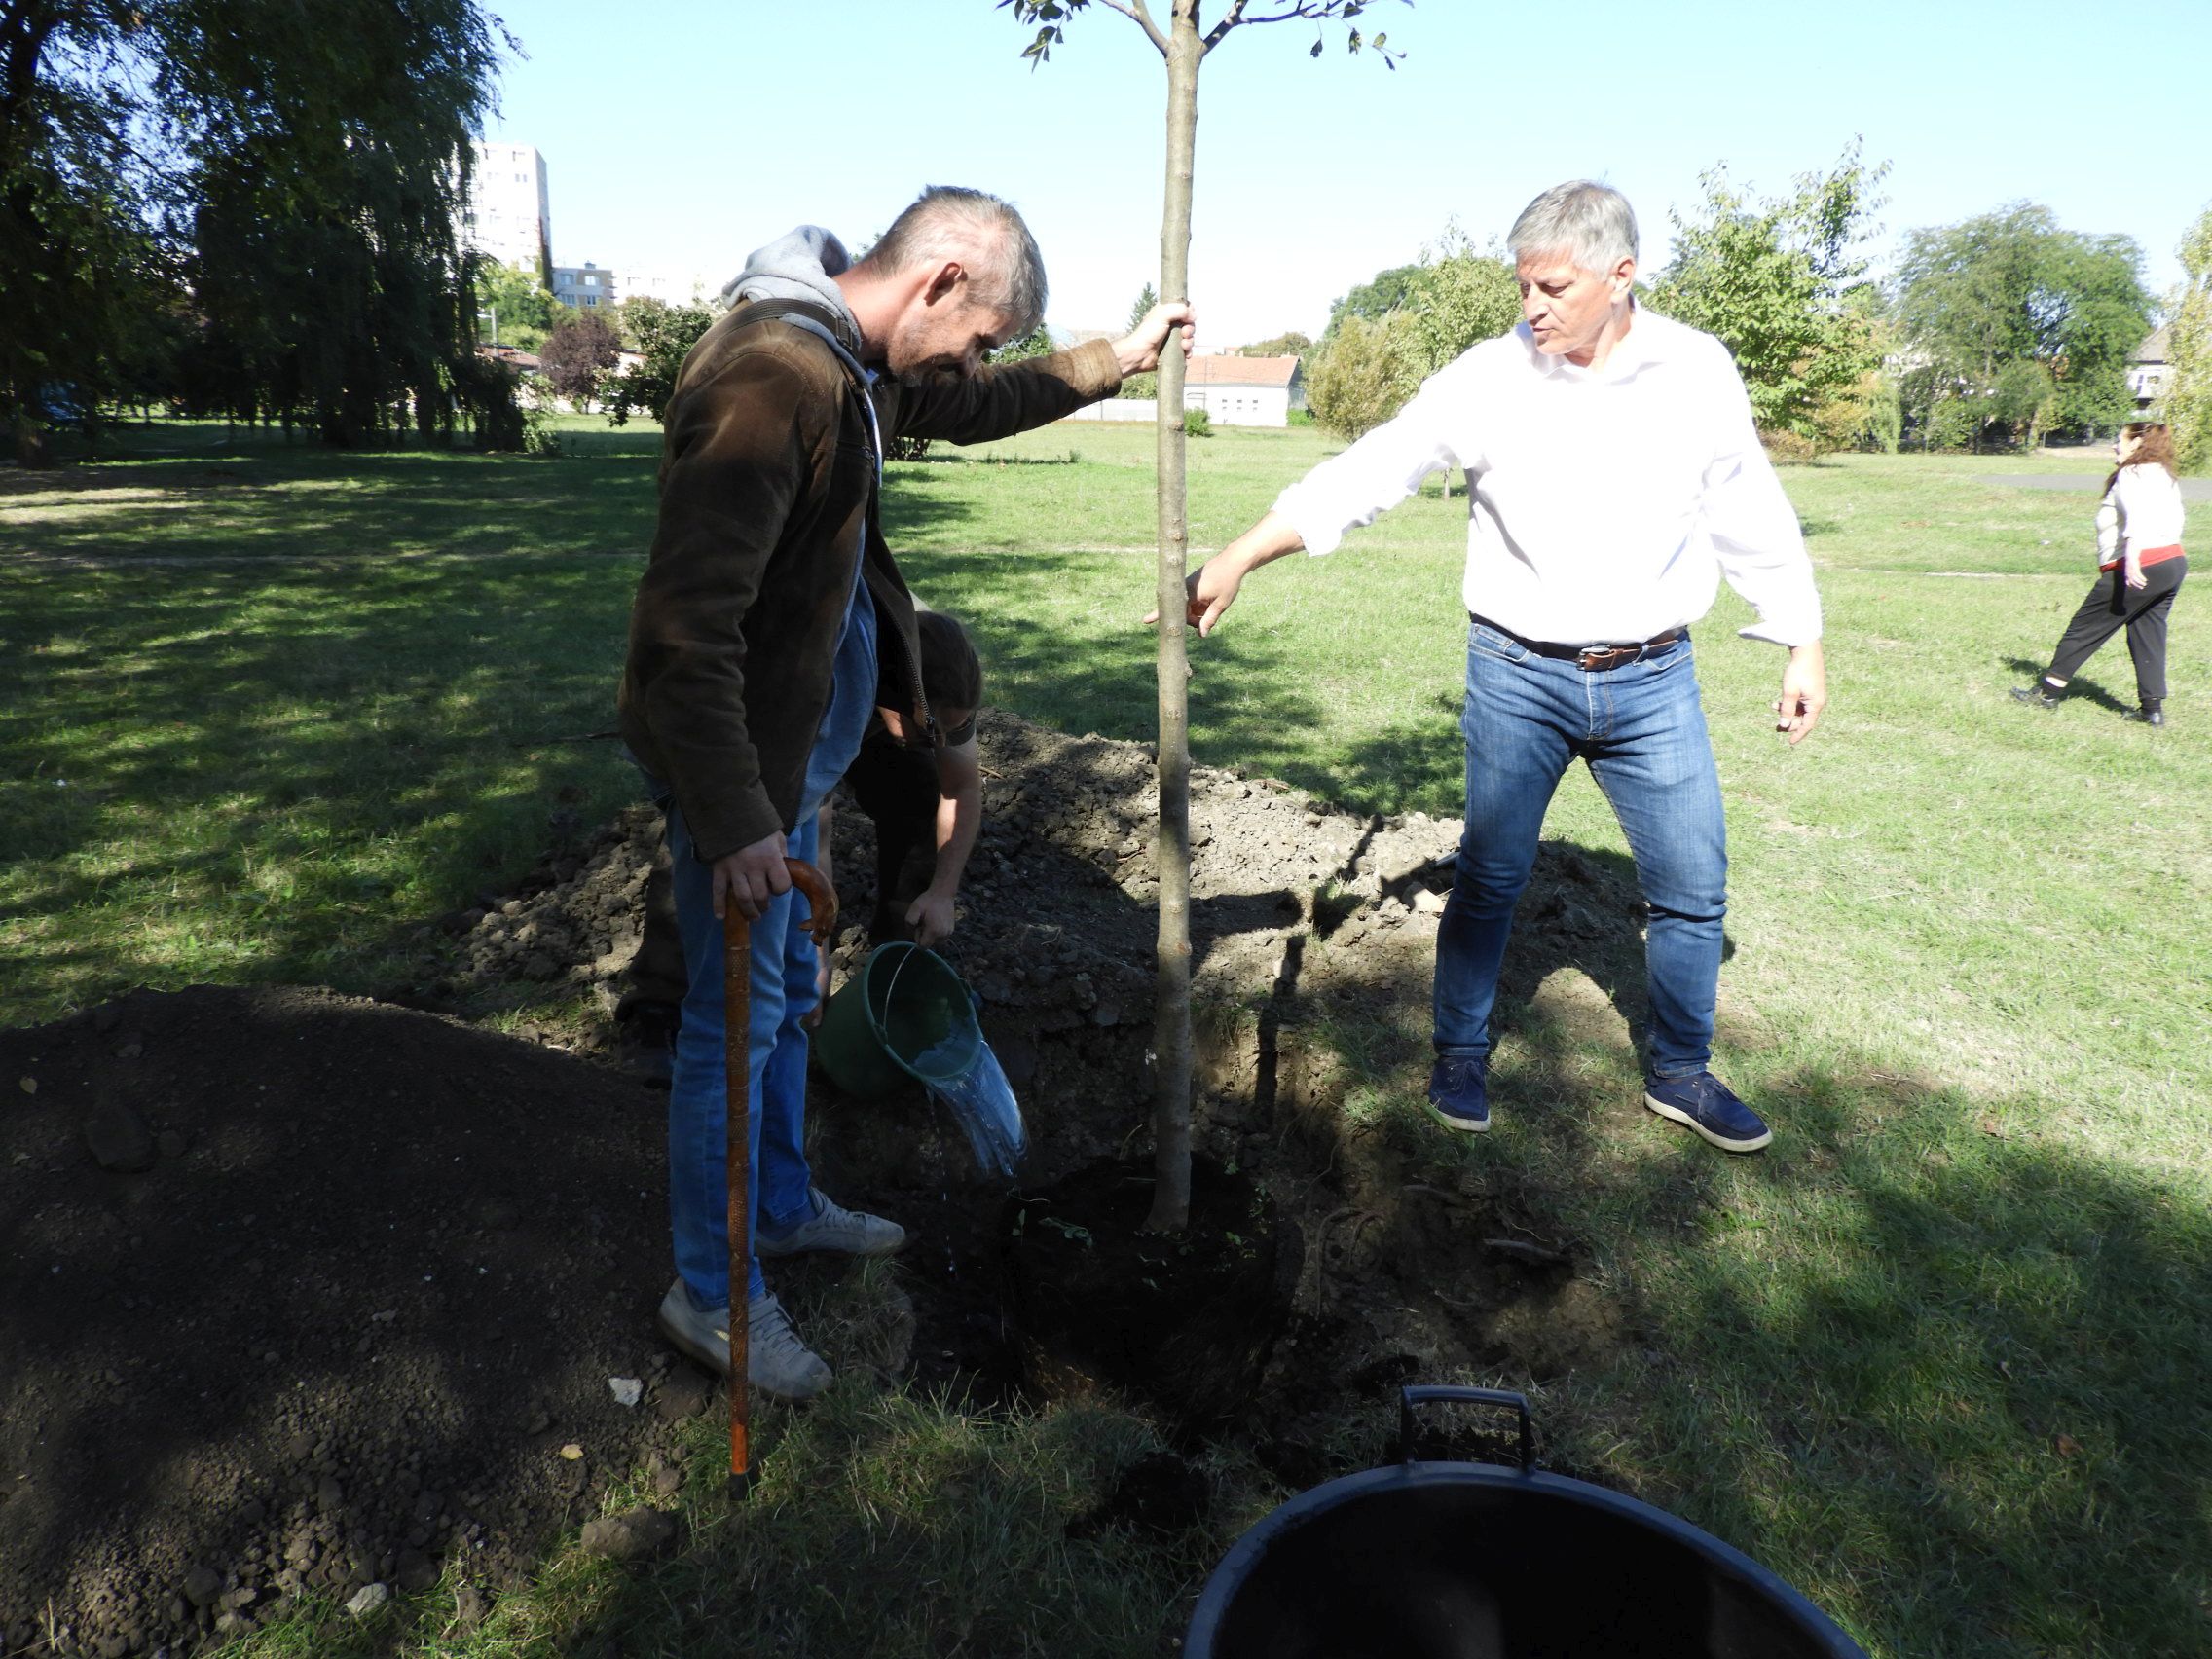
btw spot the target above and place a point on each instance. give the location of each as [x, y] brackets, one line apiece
[769, 625]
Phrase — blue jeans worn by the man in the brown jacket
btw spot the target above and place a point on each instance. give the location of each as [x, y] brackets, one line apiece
[698, 1100]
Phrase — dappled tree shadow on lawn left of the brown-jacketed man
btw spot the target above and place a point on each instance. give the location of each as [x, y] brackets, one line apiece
[293, 769]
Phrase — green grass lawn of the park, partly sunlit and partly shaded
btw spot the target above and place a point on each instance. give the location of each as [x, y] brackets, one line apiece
[1941, 1357]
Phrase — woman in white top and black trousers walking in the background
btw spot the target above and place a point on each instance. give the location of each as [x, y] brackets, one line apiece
[2142, 567]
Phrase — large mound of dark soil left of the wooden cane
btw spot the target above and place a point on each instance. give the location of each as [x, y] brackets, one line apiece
[300, 1295]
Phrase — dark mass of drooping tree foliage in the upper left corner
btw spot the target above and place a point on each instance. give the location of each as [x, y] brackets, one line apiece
[295, 169]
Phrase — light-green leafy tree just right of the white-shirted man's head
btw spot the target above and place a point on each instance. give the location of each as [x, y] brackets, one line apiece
[1782, 284]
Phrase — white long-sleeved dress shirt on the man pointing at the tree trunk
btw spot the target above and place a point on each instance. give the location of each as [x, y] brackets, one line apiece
[1605, 505]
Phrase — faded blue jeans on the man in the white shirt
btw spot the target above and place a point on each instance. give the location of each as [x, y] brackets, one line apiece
[1642, 733]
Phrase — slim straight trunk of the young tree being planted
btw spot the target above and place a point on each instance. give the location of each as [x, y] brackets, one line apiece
[1171, 1019]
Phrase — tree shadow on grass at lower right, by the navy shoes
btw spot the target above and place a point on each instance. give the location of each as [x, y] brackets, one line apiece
[1923, 1357]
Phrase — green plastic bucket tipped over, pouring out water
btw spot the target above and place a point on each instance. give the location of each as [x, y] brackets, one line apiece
[906, 1014]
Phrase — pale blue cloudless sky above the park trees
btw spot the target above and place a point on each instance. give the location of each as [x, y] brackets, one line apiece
[682, 134]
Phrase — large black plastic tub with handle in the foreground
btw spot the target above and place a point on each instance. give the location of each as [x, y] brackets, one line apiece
[1459, 1561]
